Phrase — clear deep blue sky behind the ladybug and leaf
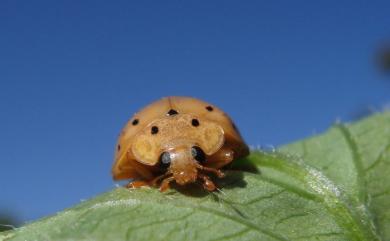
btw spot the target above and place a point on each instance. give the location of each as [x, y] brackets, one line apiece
[73, 72]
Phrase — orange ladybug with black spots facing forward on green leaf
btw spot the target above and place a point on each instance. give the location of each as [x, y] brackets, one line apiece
[179, 139]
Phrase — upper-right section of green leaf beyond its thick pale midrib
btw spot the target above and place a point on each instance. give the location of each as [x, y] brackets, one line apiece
[357, 158]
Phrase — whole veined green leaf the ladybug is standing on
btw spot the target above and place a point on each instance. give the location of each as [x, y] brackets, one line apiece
[335, 186]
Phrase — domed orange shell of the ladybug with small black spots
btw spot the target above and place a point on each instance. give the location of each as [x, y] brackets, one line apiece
[137, 152]
